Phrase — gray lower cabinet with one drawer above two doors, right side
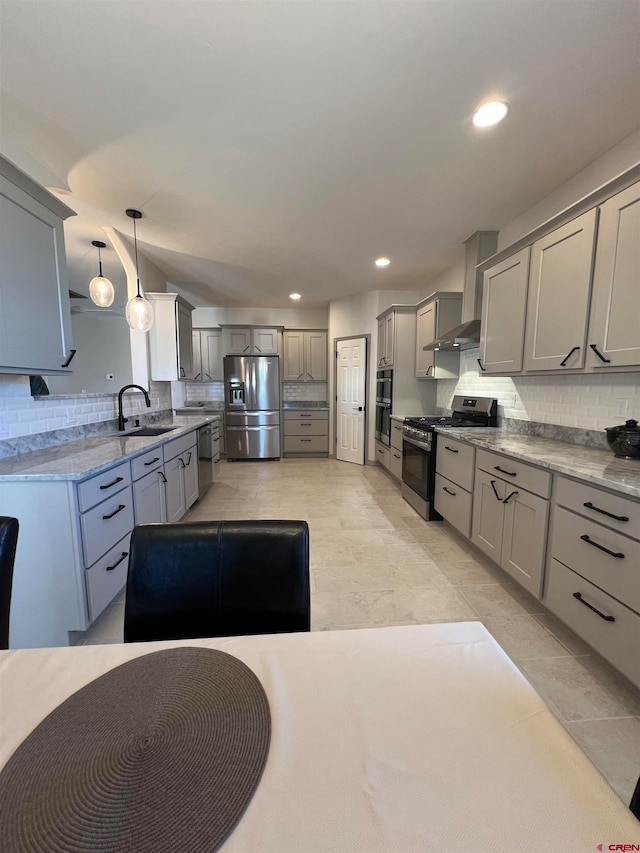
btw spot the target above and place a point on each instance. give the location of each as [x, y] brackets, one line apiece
[509, 519]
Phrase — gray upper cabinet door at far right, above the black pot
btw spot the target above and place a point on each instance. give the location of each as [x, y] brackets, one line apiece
[614, 333]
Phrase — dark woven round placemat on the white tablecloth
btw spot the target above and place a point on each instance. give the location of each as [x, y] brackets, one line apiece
[162, 753]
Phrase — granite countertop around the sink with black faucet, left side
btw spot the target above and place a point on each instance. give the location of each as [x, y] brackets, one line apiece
[76, 460]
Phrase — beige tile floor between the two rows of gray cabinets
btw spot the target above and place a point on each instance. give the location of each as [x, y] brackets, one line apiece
[374, 562]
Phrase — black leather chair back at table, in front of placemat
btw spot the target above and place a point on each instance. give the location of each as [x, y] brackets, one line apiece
[217, 578]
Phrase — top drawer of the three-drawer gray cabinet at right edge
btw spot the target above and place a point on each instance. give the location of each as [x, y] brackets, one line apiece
[614, 511]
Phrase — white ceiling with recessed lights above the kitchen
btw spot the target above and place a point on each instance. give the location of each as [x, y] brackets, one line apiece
[280, 146]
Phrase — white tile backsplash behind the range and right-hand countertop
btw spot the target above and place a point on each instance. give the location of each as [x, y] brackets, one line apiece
[590, 402]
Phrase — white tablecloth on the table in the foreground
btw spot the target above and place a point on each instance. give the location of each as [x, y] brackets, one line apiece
[418, 738]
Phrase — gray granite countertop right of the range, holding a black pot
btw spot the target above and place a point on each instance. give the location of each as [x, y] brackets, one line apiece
[599, 467]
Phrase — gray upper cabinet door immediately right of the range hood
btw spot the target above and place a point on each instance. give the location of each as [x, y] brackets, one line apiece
[504, 302]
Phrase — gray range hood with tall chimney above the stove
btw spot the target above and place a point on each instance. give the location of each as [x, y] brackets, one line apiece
[479, 247]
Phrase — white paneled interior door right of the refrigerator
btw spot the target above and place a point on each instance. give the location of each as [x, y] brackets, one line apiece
[350, 386]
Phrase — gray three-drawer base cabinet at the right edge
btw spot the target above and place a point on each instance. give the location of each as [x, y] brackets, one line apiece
[593, 573]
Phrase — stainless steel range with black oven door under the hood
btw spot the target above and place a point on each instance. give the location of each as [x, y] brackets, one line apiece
[419, 447]
